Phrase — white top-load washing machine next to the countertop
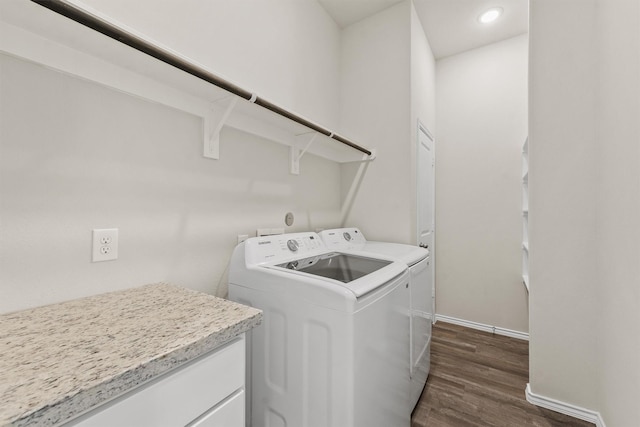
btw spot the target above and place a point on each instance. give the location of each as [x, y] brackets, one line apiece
[333, 348]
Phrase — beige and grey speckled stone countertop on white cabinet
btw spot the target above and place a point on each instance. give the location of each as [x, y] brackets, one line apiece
[59, 360]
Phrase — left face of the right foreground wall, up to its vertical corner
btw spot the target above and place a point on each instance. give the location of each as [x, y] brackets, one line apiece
[562, 221]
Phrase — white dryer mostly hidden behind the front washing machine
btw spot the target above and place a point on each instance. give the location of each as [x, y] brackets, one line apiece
[421, 282]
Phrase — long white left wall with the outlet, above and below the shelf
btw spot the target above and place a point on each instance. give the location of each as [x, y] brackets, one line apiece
[77, 156]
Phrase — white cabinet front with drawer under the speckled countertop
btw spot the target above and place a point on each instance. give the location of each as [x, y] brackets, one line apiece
[209, 391]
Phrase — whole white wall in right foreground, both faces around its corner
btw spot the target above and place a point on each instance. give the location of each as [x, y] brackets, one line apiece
[584, 205]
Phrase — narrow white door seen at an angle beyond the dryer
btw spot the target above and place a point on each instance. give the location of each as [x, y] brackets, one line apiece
[426, 199]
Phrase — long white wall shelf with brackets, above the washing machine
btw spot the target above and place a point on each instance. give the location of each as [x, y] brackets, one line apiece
[104, 54]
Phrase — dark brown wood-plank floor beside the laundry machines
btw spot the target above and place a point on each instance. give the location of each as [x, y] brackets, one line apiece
[479, 379]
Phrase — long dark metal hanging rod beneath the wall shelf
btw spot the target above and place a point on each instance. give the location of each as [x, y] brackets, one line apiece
[109, 30]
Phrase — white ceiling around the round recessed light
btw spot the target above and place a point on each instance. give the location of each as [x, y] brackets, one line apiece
[450, 25]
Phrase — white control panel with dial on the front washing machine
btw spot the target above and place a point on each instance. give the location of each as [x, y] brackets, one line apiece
[282, 247]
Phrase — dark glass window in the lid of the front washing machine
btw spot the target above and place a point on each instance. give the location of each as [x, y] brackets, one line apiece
[337, 266]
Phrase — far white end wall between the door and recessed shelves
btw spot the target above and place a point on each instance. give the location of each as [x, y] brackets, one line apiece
[482, 125]
